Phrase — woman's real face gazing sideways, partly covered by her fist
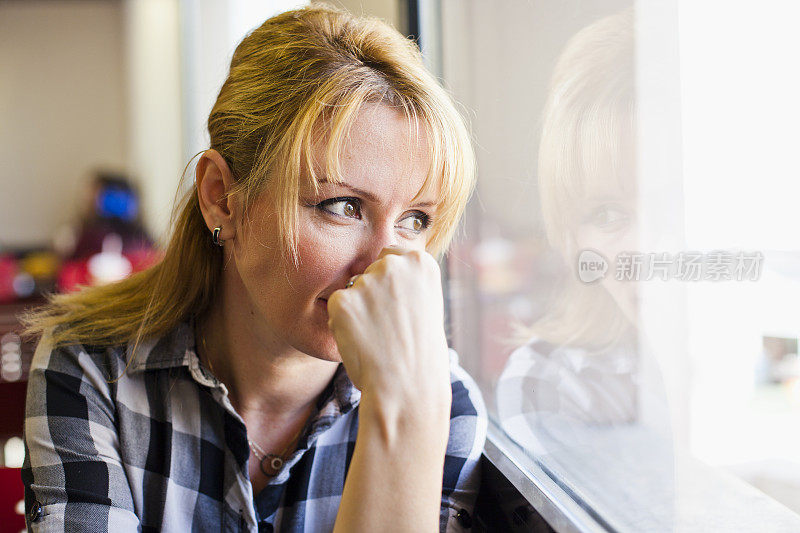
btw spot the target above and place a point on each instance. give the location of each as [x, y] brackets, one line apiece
[341, 230]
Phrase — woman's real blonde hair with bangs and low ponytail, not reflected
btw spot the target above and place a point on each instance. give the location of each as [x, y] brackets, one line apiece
[298, 73]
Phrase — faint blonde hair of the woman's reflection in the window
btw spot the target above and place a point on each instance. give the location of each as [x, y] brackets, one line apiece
[588, 123]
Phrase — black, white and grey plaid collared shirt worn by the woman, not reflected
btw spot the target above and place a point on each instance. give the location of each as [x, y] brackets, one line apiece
[163, 449]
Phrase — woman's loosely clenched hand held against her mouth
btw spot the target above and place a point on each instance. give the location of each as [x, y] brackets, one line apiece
[389, 327]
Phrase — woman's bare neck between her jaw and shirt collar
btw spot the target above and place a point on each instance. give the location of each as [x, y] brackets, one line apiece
[265, 380]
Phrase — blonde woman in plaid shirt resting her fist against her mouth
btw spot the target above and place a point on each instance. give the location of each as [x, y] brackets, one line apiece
[208, 392]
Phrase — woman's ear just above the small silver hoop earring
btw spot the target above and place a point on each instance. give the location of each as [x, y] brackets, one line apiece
[214, 180]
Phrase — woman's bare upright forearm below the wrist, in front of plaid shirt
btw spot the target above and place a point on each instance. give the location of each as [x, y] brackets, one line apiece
[394, 482]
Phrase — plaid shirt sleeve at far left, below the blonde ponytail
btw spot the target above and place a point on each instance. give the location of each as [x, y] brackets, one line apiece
[73, 475]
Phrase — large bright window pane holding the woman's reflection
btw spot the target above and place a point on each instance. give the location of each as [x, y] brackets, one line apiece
[624, 291]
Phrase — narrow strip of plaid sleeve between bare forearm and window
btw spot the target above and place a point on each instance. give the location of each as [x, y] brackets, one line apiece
[464, 448]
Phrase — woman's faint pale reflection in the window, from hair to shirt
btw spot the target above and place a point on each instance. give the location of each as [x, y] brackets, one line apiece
[571, 395]
